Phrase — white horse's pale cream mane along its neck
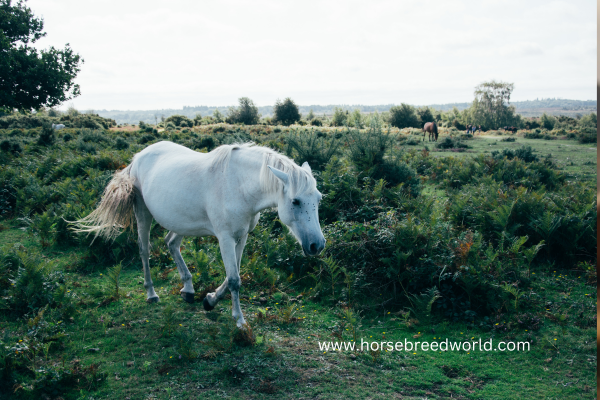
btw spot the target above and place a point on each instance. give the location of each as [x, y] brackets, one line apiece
[300, 180]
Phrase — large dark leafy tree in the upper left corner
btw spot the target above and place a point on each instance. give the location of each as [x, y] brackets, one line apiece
[30, 79]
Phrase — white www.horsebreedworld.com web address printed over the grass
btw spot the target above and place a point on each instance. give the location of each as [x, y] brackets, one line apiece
[412, 346]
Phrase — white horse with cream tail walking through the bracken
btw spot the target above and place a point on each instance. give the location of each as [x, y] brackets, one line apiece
[220, 193]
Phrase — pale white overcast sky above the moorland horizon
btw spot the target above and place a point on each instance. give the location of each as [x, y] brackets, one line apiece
[167, 54]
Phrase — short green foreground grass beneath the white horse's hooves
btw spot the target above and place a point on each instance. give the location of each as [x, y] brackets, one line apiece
[141, 360]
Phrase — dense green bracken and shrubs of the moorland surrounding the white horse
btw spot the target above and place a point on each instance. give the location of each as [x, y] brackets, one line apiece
[430, 238]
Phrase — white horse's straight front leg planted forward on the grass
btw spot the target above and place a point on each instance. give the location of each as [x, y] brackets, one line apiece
[230, 248]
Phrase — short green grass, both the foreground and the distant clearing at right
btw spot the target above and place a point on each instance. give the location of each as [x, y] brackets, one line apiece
[120, 347]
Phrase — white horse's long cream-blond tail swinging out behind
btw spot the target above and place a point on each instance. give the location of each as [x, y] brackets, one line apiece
[115, 211]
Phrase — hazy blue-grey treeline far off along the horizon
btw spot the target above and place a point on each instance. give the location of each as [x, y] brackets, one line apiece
[529, 108]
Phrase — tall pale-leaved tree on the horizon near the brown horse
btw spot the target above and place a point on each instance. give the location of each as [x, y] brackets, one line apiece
[491, 107]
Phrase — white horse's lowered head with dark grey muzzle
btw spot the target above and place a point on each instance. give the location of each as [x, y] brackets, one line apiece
[300, 210]
